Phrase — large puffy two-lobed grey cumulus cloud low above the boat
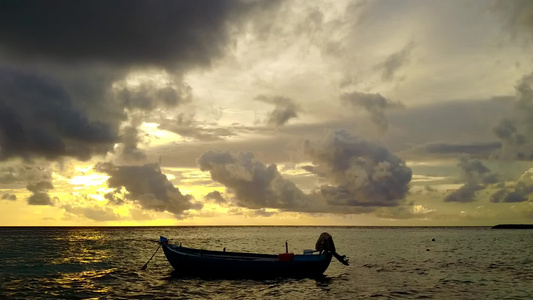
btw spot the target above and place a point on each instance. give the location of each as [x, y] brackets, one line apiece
[361, 174]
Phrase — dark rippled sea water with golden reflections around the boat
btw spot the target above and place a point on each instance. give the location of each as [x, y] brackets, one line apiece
[385, 263]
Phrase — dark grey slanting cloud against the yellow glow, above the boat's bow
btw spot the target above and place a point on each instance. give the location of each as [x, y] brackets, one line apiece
[147, 186]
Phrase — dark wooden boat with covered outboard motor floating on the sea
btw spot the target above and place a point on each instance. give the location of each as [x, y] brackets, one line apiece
[222, 264]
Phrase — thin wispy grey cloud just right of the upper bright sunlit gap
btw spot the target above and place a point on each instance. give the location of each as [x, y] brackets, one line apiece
[187, 127]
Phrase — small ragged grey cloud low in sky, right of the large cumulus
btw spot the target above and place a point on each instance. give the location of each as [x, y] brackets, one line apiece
[476, 177]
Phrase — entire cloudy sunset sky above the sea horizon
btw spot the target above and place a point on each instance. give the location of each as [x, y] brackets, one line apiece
[369, 113]
